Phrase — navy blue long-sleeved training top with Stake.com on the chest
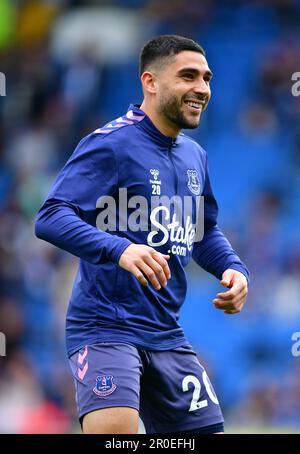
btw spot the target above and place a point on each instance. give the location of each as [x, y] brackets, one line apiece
[108, 303]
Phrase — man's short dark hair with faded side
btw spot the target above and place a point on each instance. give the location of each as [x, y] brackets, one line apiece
[166, 46]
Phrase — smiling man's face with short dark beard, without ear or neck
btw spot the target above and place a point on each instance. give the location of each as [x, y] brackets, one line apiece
[183, 89]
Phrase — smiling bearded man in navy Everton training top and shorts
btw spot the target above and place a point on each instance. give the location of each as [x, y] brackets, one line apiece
[128, 354]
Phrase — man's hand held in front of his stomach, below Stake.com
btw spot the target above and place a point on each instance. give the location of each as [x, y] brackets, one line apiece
[143, 261]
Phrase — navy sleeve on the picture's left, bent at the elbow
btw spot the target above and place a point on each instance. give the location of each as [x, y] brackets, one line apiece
[68, 217]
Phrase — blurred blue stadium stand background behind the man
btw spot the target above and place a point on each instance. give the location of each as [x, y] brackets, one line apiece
[71, 66]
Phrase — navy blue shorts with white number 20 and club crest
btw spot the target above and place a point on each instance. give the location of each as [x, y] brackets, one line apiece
[170, 389]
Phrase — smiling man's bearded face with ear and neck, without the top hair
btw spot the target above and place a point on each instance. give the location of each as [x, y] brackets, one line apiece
[176, 89]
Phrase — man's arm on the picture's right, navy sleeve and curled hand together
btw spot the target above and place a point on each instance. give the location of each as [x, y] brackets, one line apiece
[215, 254]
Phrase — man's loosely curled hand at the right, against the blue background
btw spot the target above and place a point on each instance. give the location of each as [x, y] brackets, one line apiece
[232, 301]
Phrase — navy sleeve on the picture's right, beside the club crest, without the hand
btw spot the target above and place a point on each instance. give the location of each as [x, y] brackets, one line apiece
[214, 253]
